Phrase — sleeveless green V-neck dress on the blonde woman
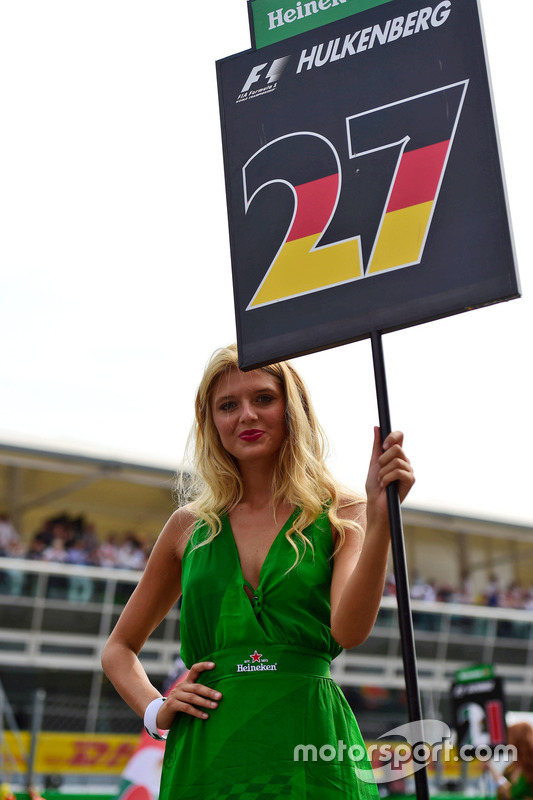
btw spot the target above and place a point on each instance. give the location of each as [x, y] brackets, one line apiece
[283, 727]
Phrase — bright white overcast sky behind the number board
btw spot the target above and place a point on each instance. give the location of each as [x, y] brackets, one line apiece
[115, 273]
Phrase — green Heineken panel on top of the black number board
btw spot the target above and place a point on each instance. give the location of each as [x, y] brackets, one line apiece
[274, 21]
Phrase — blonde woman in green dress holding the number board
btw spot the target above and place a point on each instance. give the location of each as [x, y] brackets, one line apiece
[279, 569]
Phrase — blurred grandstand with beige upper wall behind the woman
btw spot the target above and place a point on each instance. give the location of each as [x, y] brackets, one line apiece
[471, 581]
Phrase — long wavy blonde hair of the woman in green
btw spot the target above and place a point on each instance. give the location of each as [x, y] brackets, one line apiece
[301, 477]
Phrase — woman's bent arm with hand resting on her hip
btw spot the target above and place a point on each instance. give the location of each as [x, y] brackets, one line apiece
[158, 590]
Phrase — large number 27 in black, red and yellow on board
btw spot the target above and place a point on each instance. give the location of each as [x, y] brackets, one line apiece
[417, 133]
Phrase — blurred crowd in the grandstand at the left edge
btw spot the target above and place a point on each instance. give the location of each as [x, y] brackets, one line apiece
[71, 540]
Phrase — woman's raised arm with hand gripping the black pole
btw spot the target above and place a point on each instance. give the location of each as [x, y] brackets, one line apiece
[361, 563]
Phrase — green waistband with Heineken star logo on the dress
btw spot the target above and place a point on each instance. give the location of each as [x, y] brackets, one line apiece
[265, 660]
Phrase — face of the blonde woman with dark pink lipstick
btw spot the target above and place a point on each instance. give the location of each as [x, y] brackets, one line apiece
[248, 410]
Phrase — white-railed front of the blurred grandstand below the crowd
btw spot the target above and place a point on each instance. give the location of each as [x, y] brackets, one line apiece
[54, 615]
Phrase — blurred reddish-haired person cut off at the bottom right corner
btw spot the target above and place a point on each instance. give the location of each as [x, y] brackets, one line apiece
[516, 783]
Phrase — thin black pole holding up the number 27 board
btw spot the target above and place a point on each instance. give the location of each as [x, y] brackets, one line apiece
[405, 619]
